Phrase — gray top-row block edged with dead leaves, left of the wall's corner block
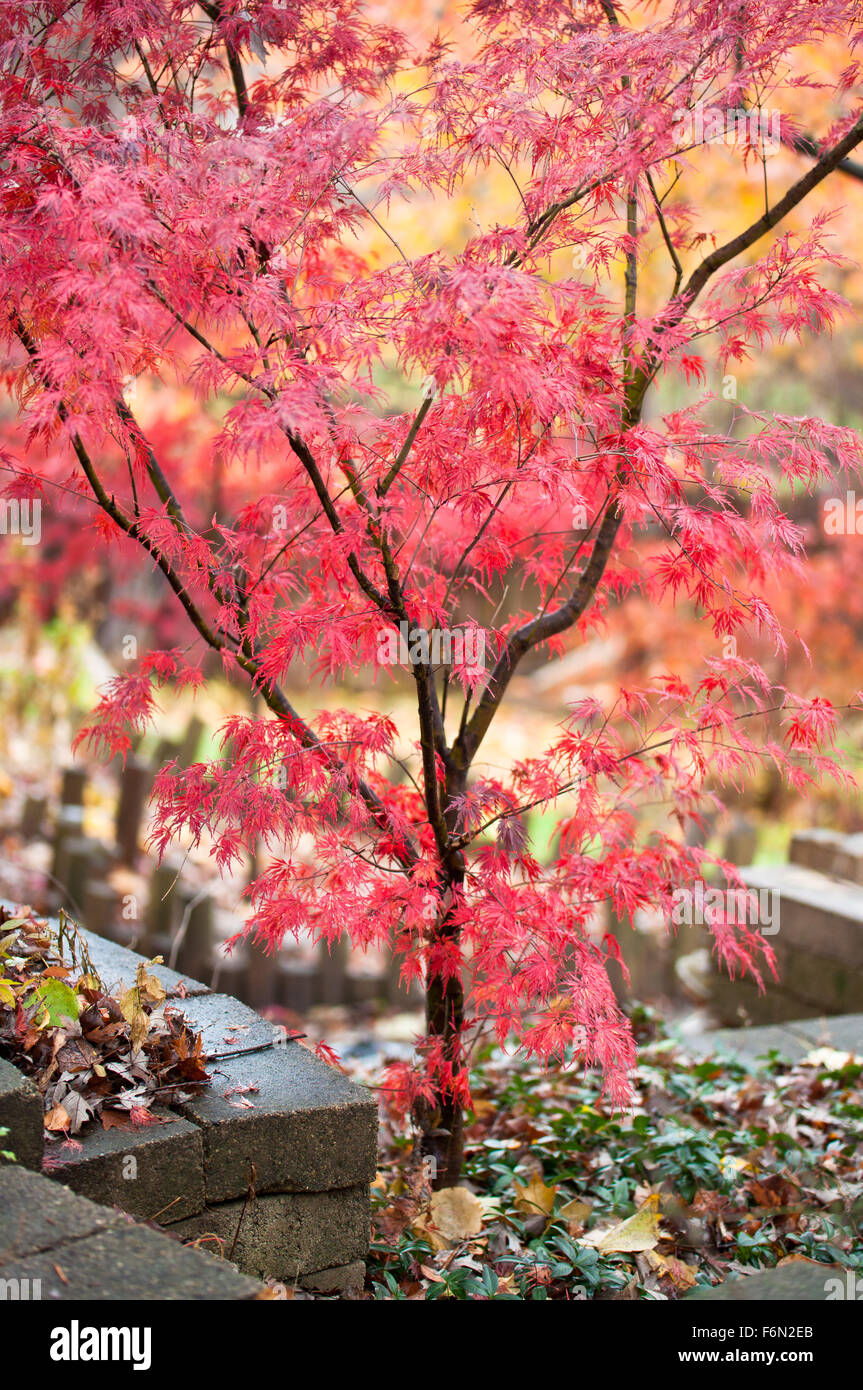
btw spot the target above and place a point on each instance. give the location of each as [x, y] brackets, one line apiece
[155, 1172]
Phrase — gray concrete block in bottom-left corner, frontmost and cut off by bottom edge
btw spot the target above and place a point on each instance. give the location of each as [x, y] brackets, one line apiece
[133, 1264]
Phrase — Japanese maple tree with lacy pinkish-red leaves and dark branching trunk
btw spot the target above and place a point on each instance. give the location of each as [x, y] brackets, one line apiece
[212, 195]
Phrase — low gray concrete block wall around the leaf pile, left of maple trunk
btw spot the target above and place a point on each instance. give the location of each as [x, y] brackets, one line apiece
[272, 1164]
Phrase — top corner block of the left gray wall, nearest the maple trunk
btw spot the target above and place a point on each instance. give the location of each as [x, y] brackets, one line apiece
[309, 1128]
